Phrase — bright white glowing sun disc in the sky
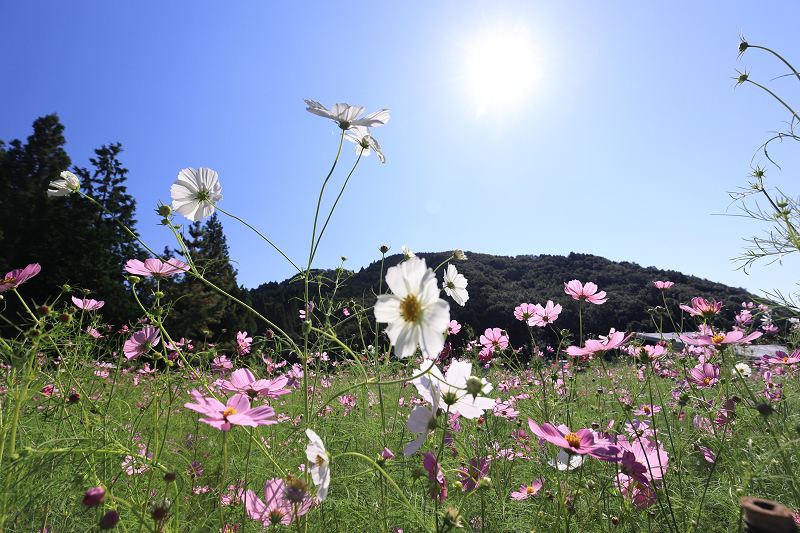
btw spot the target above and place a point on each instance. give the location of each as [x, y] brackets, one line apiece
[501, 69]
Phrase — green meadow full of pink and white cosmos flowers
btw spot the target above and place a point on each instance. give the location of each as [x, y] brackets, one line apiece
[414, 425]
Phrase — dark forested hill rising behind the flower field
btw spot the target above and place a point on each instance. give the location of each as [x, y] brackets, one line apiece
[498, 284]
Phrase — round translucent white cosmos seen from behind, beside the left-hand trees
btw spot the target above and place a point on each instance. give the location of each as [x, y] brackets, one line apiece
[195, 193]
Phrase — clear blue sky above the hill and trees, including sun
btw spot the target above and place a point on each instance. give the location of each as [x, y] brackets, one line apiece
[617, 132]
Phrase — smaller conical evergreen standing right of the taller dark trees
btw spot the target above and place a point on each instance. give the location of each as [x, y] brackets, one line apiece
[199, 312]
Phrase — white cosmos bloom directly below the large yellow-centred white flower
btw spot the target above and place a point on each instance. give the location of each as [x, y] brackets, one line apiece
[451, 389]
